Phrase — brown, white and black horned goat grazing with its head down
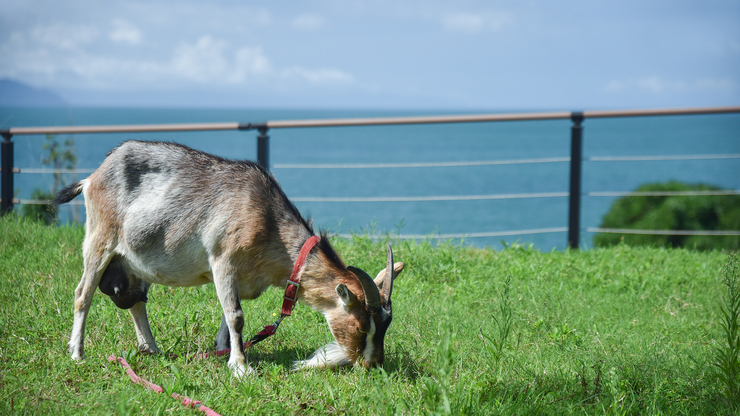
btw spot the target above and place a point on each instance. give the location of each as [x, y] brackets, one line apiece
[163, 213]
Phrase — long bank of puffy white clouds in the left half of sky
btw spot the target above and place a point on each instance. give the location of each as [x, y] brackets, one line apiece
[42, 59]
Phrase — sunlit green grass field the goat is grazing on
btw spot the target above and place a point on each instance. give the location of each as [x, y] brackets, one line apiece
[606, 331]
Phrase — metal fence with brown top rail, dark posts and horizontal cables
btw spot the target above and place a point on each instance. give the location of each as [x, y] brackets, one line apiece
[575, 160]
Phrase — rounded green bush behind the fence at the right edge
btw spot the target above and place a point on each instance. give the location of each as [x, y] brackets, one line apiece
[694, 213]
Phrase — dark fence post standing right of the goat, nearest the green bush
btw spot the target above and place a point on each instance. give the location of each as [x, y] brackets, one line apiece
[576, 152]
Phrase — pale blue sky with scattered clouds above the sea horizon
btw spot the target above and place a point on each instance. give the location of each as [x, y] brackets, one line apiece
[377, 54]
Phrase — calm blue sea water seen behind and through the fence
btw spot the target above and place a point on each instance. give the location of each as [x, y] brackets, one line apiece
[645, 136]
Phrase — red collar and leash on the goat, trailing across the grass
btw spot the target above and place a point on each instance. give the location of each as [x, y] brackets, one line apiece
[289, 301]
